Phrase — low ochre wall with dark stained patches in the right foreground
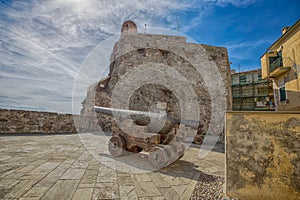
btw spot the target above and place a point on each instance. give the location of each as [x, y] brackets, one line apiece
[263, 155]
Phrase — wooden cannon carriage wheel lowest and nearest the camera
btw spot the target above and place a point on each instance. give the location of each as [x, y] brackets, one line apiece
[158, 157]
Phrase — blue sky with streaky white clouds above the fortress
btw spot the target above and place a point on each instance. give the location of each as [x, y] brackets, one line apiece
[44, 43]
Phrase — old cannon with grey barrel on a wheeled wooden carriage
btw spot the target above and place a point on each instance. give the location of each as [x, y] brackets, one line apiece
[159, 133]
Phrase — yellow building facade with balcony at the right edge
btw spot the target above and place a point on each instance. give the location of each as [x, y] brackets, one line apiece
[281, 64]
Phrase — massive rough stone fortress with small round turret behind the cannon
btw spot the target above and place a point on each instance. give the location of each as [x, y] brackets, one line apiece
[169, 54]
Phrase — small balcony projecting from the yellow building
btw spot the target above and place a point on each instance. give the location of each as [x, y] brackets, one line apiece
[280, 66]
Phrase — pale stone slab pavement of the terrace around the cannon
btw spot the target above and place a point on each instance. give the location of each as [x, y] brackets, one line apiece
[61, 167]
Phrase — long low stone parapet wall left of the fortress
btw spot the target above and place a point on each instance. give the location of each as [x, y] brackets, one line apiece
[24, 121]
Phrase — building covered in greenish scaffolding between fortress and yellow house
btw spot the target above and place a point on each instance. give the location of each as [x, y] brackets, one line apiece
[251, 92]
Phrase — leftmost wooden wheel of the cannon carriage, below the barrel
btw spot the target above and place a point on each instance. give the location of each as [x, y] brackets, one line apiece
[116, 146]
